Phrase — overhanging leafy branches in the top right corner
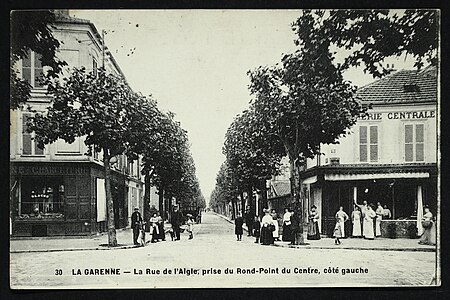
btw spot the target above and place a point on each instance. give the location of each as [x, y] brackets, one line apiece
[372, 35]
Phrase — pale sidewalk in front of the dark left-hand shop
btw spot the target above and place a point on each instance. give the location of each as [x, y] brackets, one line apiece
[49, 244]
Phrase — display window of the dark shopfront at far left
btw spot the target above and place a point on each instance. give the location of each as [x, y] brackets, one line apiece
[41, 198]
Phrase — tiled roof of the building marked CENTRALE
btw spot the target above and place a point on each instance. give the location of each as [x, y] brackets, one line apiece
[405, 86]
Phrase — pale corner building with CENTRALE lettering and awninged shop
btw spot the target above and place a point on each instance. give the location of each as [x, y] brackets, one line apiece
[389, 156]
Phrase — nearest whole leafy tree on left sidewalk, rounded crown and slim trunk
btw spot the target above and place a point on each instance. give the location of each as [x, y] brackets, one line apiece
[100, 108]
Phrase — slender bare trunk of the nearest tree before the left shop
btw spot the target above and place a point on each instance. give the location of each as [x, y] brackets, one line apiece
[112, 239]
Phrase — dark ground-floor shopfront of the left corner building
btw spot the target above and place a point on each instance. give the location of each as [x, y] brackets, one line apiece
[53, 199]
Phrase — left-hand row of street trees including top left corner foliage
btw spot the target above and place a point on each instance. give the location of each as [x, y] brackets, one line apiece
[112, 118]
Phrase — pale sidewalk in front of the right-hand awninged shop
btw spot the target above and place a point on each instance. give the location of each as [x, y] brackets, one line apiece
[379, 244]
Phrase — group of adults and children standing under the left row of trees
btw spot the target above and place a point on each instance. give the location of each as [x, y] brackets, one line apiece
[155, 226]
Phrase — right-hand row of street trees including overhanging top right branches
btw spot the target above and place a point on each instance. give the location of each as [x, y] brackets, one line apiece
[304, 101]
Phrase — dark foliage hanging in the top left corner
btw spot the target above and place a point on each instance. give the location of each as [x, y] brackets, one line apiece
[31, 30]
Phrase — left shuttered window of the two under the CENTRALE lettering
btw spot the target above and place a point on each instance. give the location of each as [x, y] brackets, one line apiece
[368, 143]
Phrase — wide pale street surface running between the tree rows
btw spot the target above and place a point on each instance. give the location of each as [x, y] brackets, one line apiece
[214, 249]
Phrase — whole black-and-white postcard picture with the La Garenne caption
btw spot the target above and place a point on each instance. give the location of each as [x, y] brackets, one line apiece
[224, 148]
